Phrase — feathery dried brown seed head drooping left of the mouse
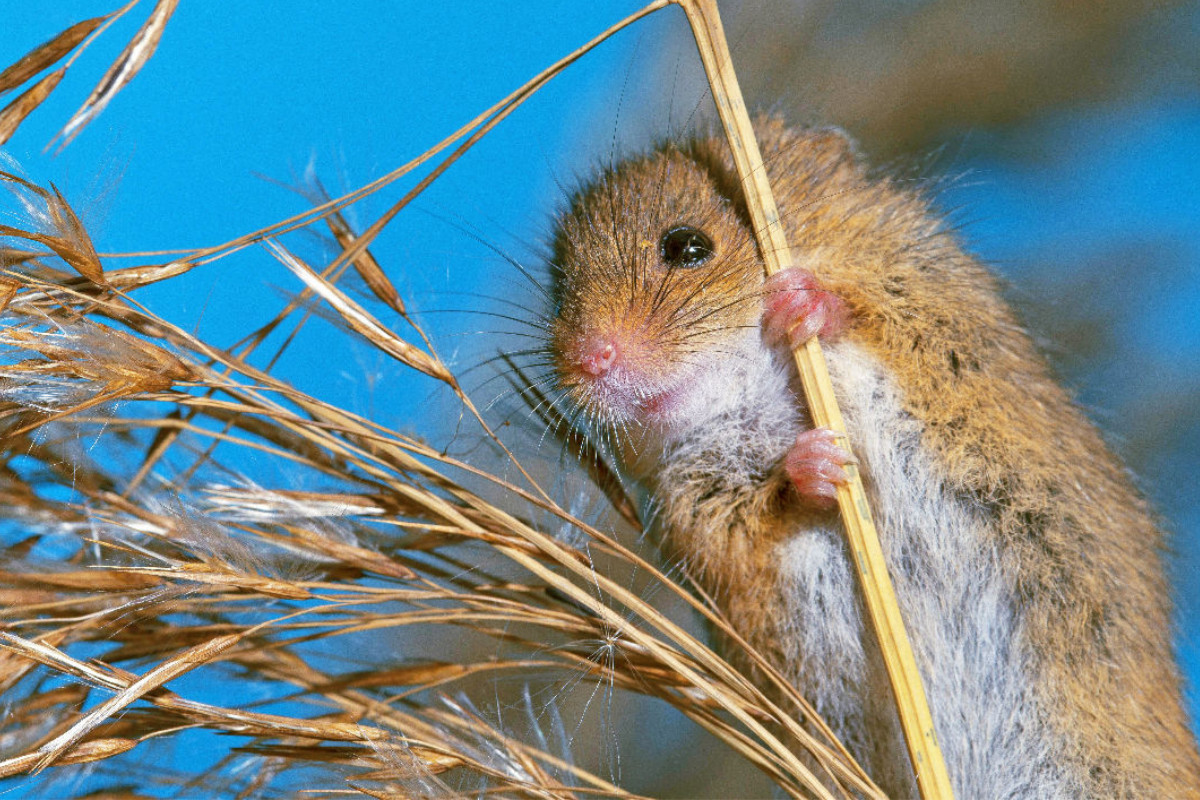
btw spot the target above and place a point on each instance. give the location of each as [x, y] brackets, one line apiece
[125, 435]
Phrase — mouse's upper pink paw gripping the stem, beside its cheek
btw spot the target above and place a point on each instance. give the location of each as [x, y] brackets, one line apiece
[797, 309]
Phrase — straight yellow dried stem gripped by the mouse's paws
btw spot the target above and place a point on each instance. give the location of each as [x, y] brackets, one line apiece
[865, 543]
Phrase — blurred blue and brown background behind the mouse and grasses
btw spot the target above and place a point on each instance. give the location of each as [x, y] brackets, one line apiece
[1066, 137]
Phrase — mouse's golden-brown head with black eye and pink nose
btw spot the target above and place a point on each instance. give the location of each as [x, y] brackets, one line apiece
[657, 276]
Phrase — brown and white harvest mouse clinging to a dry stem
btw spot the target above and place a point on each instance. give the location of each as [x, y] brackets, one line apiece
[1027, 566]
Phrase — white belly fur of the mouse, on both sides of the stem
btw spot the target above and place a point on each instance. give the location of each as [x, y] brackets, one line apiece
[958, 607]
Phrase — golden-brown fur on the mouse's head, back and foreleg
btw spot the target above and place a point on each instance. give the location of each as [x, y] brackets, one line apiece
[1079, 544]
